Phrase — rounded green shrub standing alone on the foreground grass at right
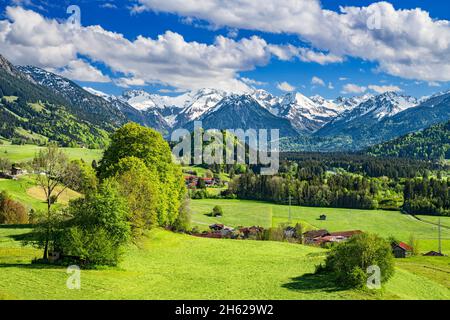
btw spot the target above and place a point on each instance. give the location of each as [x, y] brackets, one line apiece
[349, 260]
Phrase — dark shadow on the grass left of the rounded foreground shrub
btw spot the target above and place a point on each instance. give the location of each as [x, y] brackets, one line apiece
[314, 282]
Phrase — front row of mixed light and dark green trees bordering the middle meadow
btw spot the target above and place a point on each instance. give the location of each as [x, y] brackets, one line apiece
[320, 190]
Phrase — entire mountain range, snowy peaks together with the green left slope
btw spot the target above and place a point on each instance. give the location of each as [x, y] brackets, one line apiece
[31, 95]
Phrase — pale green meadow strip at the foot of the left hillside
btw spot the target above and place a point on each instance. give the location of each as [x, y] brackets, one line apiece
[25, 153]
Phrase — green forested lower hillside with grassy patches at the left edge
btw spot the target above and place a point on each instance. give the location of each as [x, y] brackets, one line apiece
[31, 113]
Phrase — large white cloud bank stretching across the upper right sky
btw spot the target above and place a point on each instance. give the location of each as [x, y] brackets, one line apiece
[377, 33]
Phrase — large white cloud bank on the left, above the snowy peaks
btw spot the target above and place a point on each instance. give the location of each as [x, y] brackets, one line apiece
[27, 37]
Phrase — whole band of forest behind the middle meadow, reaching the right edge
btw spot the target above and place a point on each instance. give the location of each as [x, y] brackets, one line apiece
[347, 181]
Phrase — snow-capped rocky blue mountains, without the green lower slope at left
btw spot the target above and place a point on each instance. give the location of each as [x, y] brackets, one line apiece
[358, 121]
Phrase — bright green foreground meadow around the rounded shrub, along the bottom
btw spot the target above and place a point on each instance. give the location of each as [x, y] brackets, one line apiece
[174, 266]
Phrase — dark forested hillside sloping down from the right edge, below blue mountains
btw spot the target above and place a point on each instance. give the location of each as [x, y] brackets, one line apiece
[430, 144]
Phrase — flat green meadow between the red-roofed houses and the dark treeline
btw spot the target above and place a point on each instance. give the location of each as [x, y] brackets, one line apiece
[384, 223]
